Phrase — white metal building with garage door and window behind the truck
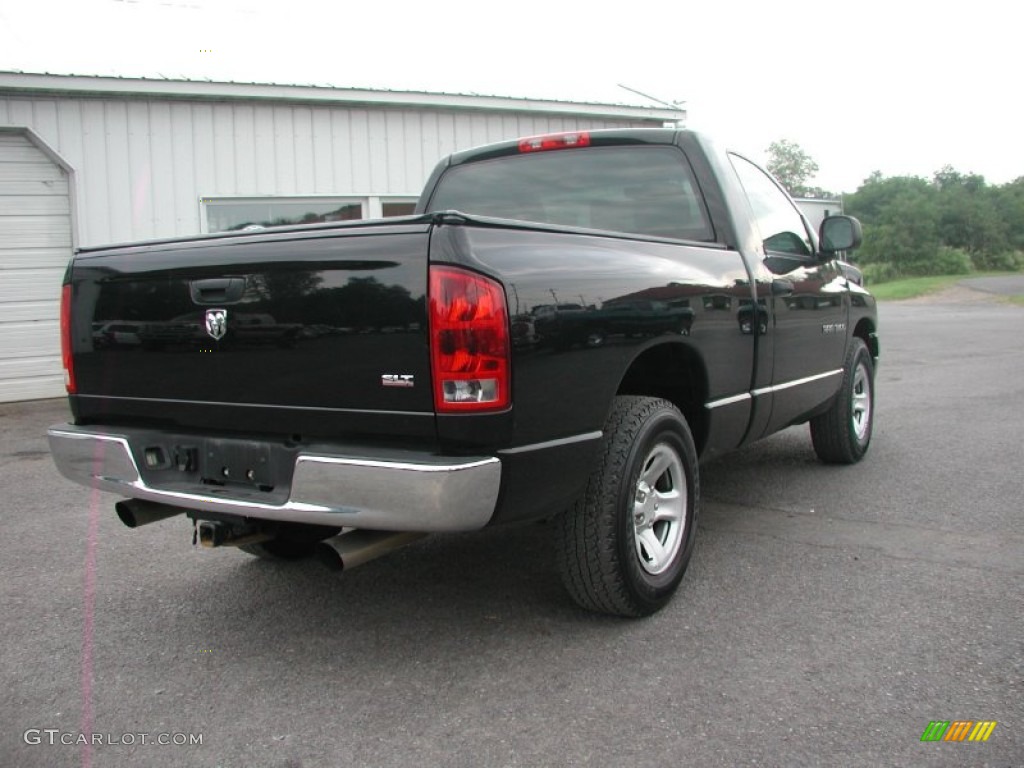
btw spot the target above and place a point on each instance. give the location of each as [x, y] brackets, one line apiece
[93, 160]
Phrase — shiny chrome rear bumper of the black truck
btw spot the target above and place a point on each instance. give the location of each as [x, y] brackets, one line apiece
[422, 493]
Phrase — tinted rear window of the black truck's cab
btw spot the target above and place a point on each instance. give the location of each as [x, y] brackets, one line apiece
[649, 191]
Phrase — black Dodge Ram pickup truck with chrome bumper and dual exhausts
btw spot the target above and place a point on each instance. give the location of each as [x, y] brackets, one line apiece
[564, 330]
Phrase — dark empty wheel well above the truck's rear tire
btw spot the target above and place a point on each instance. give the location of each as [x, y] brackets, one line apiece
[673, 372]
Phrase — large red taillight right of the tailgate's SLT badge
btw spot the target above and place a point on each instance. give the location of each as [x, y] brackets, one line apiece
[470, 342]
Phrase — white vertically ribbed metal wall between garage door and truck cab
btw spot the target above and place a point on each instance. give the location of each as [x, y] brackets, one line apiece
[142, 164]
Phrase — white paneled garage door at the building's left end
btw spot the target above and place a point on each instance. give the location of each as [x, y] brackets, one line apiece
[35, 247]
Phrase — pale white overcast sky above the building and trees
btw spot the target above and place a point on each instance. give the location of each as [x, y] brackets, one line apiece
[898, 87]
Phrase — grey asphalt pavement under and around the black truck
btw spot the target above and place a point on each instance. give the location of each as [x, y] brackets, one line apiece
[830, 614]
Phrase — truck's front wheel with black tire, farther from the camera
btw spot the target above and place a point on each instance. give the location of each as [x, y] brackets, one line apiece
[842, 435]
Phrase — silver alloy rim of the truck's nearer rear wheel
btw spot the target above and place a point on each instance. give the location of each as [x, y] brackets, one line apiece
[660, 509]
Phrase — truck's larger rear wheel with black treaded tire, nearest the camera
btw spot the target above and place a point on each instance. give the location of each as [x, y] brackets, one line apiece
[618, 553]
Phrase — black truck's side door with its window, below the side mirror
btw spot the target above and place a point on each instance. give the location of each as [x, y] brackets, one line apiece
[809, 308]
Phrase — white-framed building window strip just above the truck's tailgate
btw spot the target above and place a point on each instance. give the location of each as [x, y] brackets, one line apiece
[233, 215]
